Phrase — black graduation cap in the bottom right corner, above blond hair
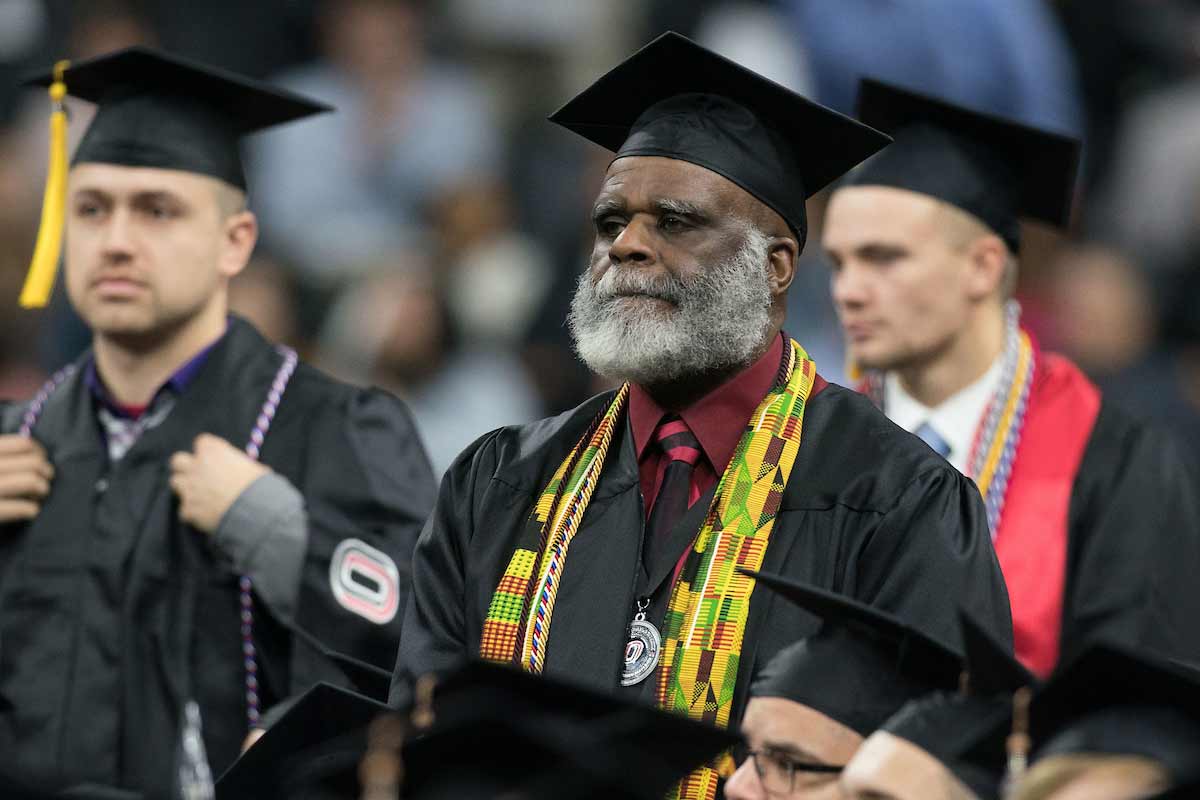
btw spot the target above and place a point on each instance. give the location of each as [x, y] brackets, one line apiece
[1113, 700]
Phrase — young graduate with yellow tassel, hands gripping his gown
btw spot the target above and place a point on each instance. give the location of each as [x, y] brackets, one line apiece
[185, 495]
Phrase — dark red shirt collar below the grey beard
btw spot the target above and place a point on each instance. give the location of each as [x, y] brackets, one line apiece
[719, 418]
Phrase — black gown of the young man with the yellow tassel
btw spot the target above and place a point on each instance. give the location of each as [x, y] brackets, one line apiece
[113, 612]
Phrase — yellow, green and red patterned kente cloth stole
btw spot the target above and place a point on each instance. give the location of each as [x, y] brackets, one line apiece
[710, 603]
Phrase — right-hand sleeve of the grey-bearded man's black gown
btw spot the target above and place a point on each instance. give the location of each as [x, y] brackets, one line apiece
[932, 555]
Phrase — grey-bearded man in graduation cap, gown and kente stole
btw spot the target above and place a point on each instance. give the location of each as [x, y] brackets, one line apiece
[602, 545]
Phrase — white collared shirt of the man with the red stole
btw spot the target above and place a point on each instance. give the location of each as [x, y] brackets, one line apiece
[956, 420]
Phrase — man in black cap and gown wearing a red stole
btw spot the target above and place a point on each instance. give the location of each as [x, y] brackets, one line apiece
[1094, 514]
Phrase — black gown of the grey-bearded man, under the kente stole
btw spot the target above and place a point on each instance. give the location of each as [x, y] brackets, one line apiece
[869, 512]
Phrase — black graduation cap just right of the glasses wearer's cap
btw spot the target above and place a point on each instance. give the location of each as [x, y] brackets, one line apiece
[967, 731]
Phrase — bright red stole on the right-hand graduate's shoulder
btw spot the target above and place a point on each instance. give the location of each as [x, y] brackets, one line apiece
[1031, 543]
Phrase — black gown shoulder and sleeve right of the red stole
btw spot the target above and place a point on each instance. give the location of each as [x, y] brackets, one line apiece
[1133, 549]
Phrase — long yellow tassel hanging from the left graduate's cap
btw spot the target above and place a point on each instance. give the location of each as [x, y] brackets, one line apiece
[40, 280]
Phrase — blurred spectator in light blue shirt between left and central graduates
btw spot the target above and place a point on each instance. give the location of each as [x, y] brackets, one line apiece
[357, 184]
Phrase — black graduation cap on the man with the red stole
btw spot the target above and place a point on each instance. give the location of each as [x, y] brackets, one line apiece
[993, 169]
